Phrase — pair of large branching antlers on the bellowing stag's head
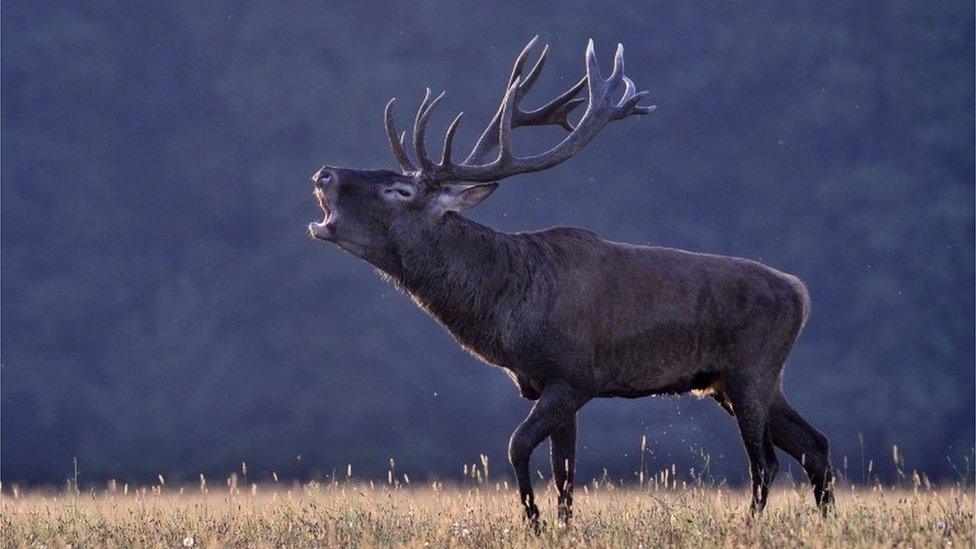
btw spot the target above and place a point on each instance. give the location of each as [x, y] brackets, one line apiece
[601, 110]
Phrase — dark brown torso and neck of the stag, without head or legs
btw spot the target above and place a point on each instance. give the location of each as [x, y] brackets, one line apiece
[616, 319]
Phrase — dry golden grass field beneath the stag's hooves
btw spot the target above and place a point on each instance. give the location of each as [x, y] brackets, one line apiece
[479, 515]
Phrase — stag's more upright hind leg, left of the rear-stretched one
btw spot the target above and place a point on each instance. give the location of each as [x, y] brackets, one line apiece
[749, 400]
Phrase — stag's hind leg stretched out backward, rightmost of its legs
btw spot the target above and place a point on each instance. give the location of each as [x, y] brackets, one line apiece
[806, 445]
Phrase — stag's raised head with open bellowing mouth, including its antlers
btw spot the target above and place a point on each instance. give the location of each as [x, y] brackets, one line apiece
[365, 210]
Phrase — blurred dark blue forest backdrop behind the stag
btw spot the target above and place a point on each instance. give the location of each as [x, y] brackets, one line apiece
[163, 310]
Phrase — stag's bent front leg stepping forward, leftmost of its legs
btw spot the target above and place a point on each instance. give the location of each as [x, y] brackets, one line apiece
[556, 406]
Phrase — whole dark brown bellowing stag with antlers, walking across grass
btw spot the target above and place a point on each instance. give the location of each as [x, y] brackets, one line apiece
[570, 316]
